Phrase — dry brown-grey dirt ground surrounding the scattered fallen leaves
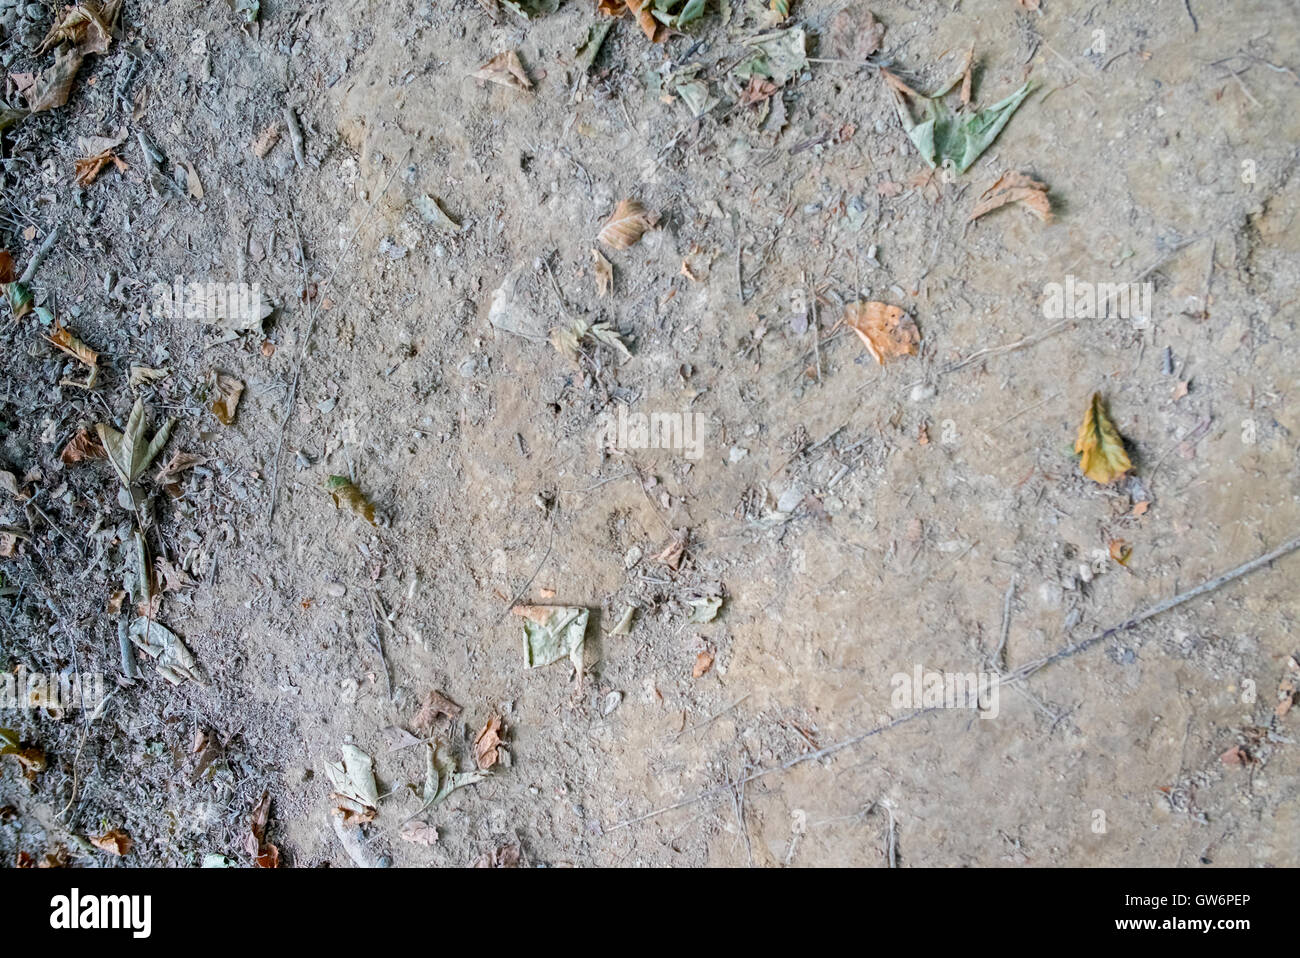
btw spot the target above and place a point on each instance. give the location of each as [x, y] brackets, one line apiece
[859, 521]
